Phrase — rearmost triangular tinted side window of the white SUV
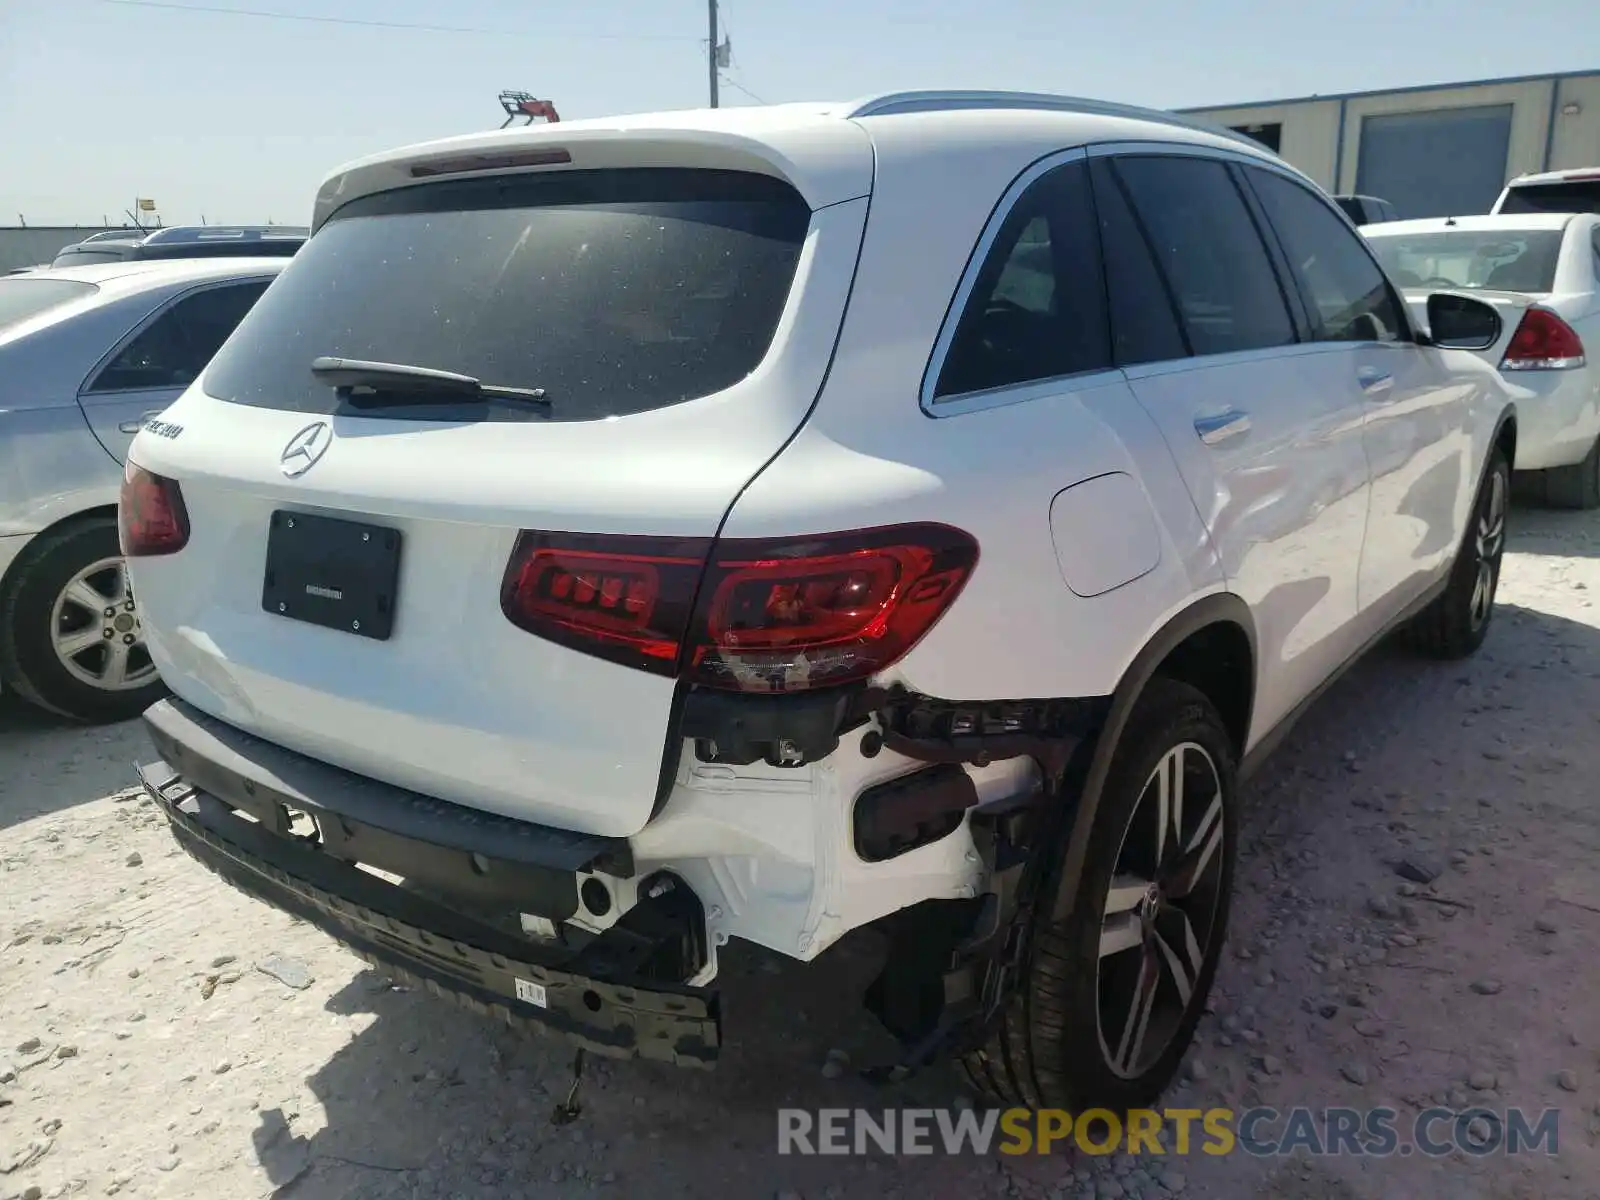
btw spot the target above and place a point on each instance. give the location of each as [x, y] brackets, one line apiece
[1038, 308]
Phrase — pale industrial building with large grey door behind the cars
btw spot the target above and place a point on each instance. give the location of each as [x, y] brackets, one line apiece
[1431, 151]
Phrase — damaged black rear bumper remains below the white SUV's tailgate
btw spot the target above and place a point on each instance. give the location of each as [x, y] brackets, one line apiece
[228, 798]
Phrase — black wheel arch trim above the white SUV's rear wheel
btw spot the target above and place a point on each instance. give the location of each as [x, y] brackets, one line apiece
[1185, 649]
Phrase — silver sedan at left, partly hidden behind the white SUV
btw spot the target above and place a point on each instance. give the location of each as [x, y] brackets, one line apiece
[89, 356]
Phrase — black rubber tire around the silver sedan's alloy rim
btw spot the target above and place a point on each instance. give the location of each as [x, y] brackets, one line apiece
[30, 620]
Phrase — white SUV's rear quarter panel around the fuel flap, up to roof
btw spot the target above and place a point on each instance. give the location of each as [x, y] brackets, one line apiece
[871, 457]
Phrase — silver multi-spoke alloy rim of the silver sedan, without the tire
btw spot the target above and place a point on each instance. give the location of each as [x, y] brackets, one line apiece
[97, 631]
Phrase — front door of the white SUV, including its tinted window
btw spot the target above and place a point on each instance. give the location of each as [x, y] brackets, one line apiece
[1414, 418]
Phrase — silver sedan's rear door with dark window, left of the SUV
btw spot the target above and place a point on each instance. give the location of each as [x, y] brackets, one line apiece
[167, 353]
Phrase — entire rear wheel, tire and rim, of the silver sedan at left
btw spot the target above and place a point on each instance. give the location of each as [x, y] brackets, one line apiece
[71, 639]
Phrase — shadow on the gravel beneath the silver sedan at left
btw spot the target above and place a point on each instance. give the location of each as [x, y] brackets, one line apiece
[49, 766]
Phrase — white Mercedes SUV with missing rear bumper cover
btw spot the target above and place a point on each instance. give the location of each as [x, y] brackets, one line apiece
[631, 535]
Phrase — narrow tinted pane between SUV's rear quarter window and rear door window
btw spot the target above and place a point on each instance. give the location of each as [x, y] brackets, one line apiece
[1143, 316]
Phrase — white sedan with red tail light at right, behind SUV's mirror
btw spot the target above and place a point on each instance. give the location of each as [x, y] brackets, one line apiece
[1542, 271]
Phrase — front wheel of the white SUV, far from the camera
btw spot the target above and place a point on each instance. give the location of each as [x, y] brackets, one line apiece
[1455, 625]
